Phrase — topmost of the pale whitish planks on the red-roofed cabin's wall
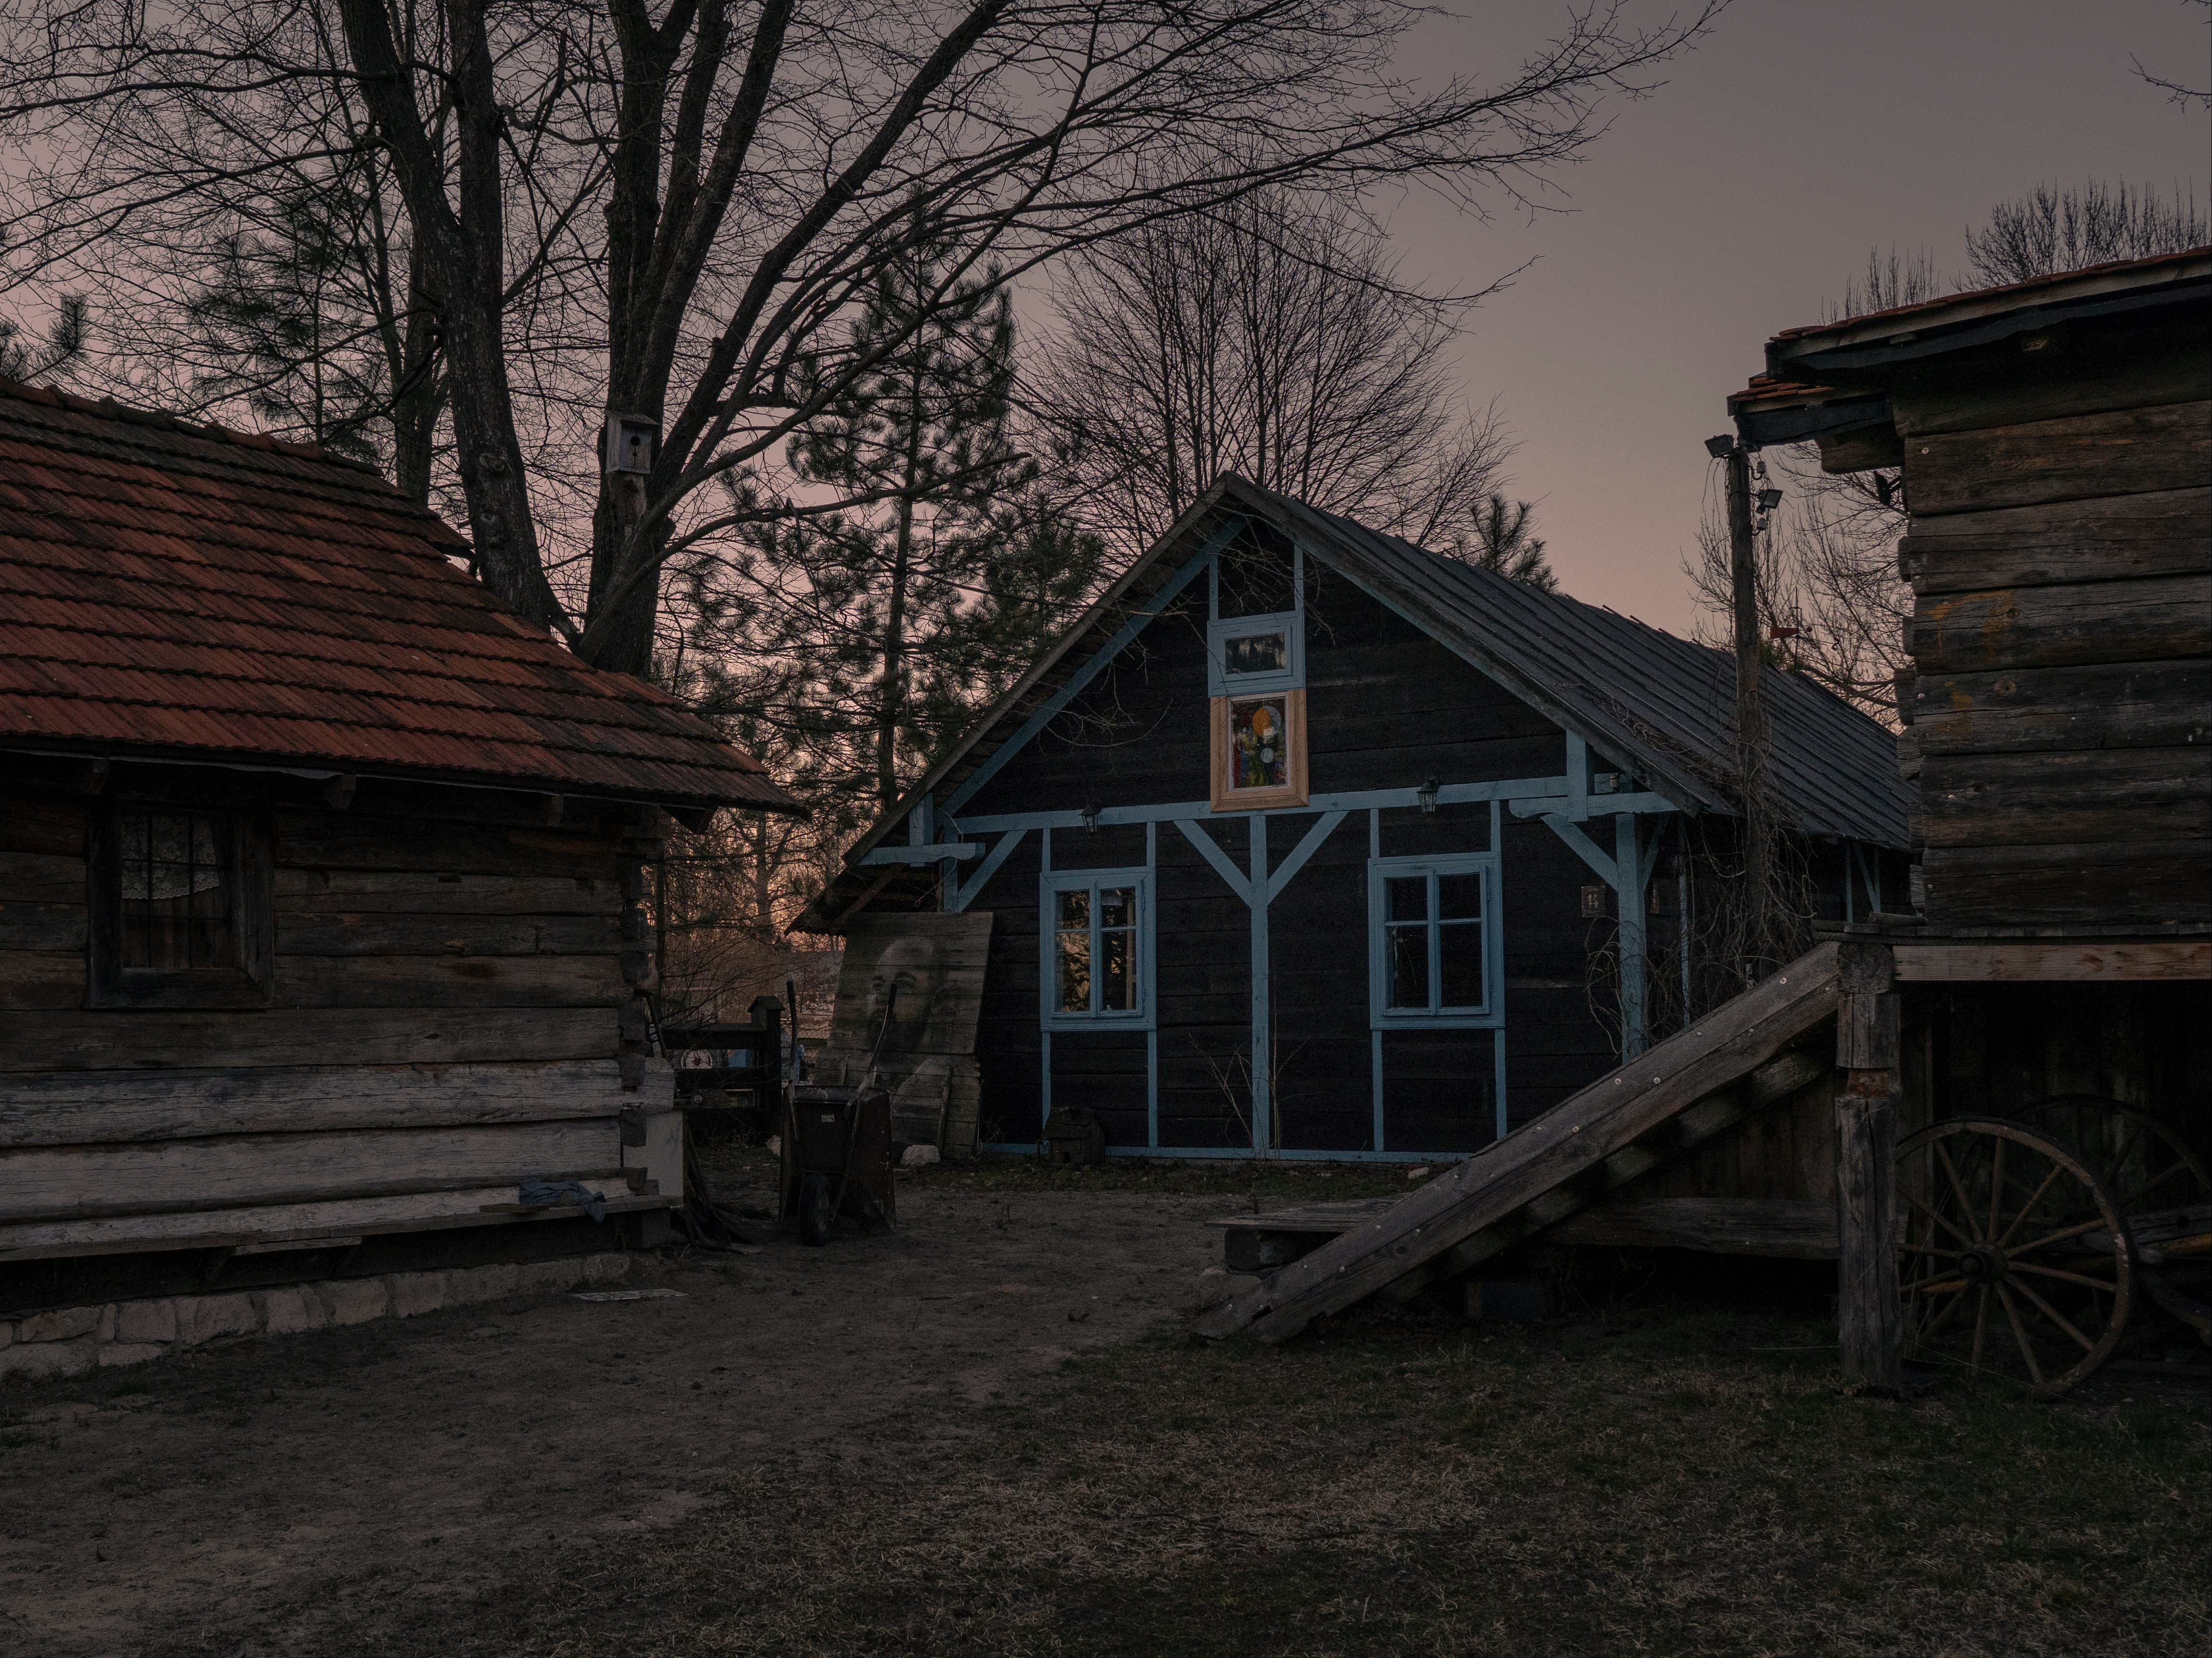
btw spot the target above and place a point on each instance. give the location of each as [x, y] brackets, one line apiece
[103, 1106]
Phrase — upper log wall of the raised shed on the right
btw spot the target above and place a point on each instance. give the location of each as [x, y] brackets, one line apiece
[2063, 633]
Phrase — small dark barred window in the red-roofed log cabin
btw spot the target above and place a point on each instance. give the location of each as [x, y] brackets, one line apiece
[180, 907]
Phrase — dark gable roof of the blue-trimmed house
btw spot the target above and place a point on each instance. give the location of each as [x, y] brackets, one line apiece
[1645, 697]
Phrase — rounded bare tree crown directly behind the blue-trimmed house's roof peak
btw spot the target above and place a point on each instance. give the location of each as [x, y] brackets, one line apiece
[1266, 339]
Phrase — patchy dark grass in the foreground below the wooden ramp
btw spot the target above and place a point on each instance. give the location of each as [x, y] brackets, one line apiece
[1667, 1480]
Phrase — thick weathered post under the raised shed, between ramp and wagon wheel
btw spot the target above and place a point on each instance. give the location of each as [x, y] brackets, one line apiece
[1868, 1316]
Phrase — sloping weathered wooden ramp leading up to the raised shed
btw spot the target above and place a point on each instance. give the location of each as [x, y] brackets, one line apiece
[1682, 1093]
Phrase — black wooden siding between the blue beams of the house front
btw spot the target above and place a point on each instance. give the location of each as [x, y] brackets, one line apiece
[1386, 709]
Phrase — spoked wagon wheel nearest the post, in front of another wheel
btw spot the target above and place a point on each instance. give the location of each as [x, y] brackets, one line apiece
[2016, 1261]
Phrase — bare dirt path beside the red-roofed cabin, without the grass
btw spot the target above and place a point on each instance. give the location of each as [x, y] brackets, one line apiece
[302, 1484]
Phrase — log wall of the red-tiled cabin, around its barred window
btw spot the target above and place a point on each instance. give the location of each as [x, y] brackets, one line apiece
[444, 1020]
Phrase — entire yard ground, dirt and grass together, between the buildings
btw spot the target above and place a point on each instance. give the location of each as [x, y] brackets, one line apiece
[990, 1438]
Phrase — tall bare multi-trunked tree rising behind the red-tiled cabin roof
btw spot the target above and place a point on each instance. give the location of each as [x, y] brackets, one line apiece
[658, 218]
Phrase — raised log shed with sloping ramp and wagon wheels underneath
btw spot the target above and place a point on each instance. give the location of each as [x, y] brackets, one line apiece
[2005, 1102]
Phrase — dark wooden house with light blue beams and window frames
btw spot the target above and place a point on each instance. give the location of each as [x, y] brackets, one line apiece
[1313, 843]
